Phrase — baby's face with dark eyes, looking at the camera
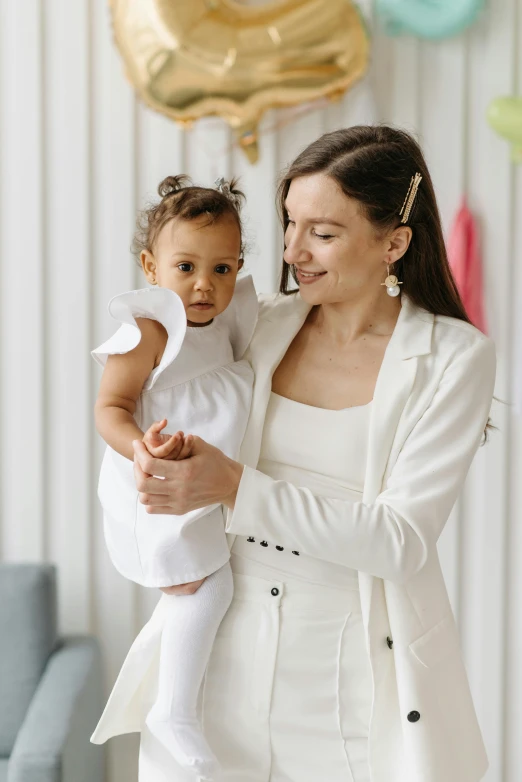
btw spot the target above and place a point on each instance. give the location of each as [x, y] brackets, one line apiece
[199, 262]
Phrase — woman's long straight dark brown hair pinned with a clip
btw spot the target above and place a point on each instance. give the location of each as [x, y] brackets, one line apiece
[374, 165]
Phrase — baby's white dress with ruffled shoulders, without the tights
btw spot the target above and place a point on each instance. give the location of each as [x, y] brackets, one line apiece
[203, 387]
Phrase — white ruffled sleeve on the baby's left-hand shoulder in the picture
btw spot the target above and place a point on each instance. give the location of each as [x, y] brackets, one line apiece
[159, 304]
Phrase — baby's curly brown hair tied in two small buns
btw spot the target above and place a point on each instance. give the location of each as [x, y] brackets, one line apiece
[180, 198]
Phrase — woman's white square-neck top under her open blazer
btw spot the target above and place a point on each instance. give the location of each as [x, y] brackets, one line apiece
[320, 450]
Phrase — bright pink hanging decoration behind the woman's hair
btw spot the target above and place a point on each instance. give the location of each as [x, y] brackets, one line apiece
[466, 265]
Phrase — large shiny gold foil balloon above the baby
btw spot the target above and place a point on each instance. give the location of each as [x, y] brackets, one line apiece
[193, 58]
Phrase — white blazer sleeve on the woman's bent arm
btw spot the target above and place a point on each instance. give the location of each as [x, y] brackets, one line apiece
[391, 537]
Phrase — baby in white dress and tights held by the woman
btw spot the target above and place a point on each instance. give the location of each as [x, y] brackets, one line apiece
[176, 362]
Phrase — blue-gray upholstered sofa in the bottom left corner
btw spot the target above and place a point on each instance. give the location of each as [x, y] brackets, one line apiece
[51, 692]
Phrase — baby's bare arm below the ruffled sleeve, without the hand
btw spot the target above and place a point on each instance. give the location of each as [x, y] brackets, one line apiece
[121, 385]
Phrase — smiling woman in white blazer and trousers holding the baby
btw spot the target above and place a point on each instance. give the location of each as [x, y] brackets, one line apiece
[339, 658]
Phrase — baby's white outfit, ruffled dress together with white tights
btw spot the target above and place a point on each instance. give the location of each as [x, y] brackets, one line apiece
[203, 387]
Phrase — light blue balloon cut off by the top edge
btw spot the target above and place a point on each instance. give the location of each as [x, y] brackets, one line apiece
[428, 18]
